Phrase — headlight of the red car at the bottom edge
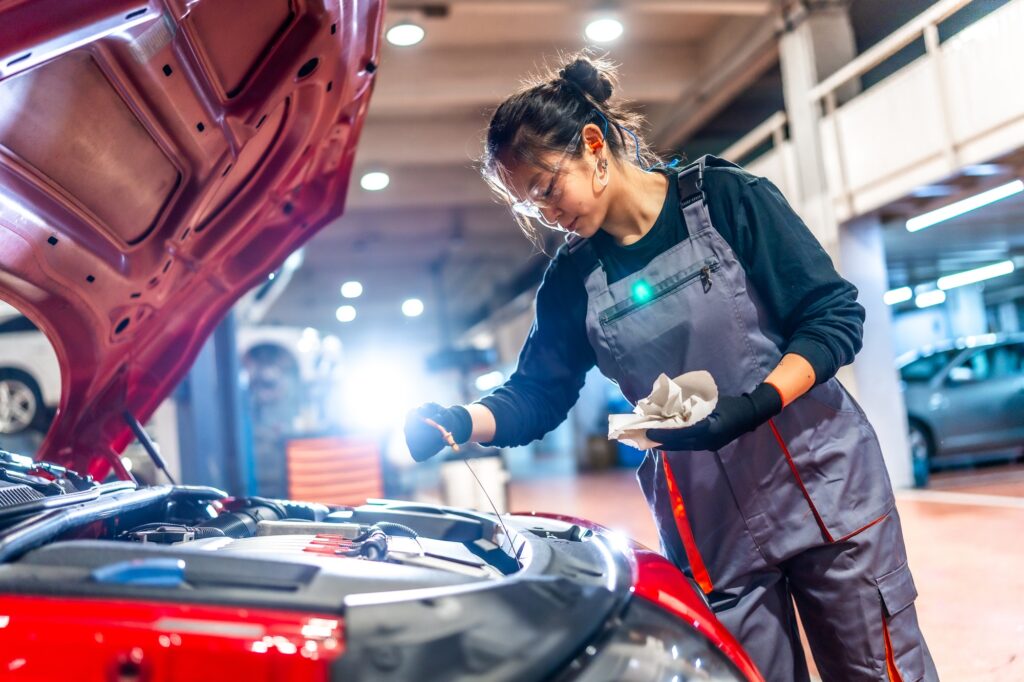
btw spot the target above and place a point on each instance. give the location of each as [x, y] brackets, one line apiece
[652, 646]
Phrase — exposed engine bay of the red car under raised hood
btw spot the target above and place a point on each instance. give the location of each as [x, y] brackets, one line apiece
[62, 531]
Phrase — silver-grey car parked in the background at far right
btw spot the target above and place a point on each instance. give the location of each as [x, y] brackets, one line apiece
[965, 401]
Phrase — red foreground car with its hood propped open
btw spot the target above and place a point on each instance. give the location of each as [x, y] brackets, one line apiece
[157, 161]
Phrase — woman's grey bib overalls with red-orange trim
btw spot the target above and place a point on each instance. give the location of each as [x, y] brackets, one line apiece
[800, 509]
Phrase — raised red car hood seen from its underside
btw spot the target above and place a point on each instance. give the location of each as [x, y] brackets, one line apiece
[158, 160]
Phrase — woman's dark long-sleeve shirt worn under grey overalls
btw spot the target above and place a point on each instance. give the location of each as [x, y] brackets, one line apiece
[787, 266]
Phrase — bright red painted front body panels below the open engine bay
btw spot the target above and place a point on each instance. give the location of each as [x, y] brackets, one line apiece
[129, 641]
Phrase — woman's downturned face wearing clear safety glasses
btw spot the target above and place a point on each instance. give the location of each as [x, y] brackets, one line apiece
[569, 197]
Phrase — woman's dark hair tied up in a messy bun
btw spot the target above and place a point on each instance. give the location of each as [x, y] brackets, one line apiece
[548, 113]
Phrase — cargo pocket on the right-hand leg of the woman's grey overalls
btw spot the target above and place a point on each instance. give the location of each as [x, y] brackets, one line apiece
[905, 656]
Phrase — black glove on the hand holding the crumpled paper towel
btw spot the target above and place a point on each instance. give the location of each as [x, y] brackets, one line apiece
[733, 418]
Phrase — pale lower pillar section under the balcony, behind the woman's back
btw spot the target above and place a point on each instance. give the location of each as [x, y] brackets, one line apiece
[874, 370]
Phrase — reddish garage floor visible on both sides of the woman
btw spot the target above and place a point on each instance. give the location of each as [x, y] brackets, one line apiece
[964, 540]
